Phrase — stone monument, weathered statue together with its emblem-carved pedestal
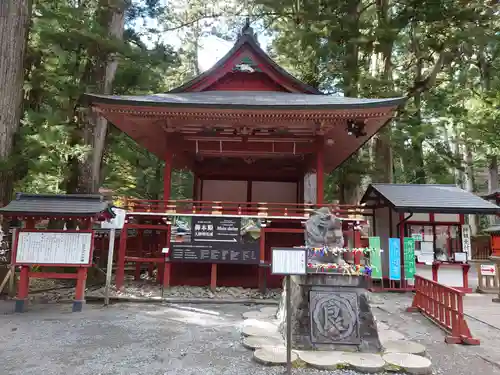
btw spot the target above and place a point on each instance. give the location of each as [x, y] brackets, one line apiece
[330, 311]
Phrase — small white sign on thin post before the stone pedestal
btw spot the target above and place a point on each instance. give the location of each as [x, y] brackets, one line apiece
[288, 262]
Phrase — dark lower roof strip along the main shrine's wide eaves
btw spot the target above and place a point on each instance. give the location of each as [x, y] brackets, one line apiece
[246, 99]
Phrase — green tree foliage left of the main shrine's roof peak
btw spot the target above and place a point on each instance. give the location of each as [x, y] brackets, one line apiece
[62, 45]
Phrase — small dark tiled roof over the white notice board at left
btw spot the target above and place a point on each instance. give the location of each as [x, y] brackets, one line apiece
[55, 205]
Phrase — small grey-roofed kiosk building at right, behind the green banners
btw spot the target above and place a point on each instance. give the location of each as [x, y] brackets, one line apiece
[434, 216]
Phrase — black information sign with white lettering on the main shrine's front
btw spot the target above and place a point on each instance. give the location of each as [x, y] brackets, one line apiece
[215, 239]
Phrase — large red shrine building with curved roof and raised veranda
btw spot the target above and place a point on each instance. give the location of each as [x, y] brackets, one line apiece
[259, 143]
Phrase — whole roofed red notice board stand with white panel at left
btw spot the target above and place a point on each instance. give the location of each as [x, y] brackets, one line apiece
[50, 249]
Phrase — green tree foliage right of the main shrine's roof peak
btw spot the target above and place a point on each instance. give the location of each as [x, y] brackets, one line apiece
[442, 56]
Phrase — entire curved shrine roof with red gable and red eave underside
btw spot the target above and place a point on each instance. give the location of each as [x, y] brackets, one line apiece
[246, 105]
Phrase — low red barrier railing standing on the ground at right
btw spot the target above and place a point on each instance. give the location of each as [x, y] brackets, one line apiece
[444, 306]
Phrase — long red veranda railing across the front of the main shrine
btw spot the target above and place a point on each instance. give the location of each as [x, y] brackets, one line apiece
[293, 210]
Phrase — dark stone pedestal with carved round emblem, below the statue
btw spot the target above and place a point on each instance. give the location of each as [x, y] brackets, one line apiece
[330, 312]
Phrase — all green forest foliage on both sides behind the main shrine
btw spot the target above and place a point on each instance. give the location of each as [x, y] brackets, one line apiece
[444, 57]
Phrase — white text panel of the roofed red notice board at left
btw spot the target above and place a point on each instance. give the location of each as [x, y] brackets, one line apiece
[62, 248]
